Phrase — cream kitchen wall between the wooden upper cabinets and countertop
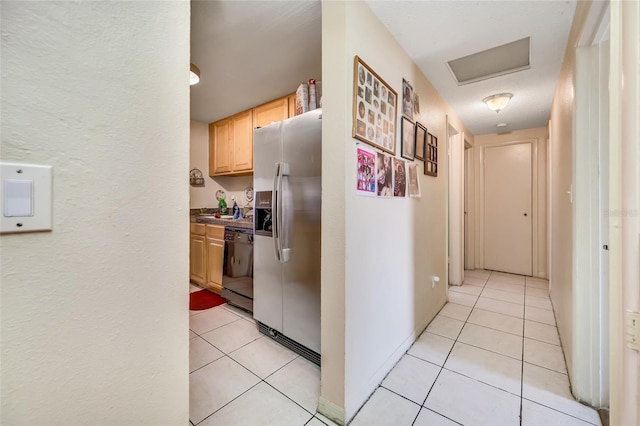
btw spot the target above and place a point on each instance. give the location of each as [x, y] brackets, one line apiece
[205, 196]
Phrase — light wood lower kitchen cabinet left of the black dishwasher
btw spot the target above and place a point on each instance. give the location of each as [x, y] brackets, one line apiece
[206, 256]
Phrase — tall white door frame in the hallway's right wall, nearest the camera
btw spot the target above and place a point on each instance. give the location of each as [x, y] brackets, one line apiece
[590, 375]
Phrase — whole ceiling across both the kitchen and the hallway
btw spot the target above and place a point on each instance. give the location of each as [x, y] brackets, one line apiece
[251, 52]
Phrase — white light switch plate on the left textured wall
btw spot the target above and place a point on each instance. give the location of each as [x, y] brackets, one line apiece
[25, 197]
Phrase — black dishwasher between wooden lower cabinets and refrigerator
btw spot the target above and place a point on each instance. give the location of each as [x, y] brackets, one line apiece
[237, 279]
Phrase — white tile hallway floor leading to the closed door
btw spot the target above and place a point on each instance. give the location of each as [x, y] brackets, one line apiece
[491, 356]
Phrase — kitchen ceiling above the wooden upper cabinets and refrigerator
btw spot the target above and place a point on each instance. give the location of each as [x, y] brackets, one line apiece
[251, 52]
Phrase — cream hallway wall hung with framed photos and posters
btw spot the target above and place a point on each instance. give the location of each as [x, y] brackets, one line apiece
[379, 256]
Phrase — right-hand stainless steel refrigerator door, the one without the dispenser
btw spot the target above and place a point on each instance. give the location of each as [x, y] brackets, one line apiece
[302, 150]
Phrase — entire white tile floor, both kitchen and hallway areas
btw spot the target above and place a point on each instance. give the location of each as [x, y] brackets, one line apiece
[491, 356]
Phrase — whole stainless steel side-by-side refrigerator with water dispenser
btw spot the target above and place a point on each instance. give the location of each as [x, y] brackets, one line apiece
[287, 187]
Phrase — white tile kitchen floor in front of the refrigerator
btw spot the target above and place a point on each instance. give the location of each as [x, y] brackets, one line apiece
[240, 377]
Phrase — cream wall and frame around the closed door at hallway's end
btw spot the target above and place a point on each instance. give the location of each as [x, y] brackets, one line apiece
[537, 137]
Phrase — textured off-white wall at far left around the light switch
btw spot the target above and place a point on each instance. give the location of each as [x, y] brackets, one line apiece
[95, 313]
